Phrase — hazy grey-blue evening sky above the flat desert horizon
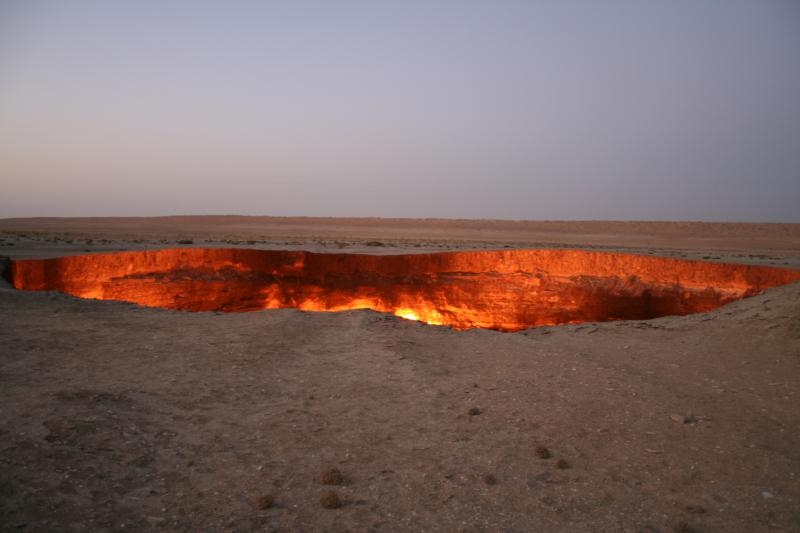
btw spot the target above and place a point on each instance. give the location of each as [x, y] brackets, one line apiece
[657, 110]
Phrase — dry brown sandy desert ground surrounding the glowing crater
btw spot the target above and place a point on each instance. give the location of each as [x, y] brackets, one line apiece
[115, 417]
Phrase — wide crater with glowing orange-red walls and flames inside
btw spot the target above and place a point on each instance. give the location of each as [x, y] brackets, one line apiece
[505, 290]
